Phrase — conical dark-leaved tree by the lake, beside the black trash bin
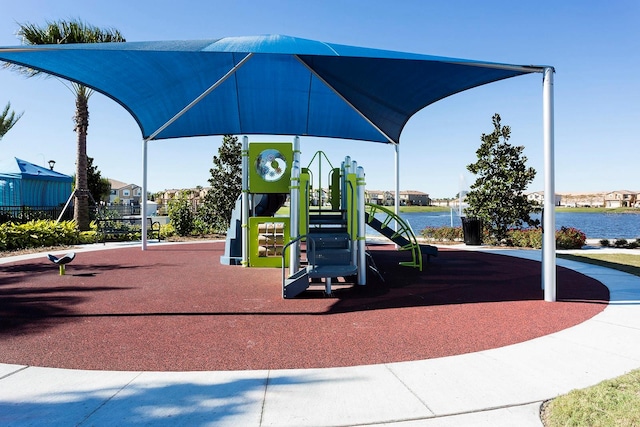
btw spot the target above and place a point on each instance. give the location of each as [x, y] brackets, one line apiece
[497, 196]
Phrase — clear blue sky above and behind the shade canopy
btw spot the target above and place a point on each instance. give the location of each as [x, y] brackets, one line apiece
[594, 47]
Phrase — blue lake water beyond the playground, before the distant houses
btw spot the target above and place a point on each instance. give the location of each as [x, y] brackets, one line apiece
[595, 225]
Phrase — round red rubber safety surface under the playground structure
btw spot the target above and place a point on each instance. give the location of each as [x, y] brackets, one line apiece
[175, 307]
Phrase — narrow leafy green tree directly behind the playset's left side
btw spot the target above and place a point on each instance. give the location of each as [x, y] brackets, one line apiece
[226, 185]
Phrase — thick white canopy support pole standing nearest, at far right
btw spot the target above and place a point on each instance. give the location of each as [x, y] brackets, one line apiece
[549, 213]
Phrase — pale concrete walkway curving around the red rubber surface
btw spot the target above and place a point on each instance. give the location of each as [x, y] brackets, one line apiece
[498, 387]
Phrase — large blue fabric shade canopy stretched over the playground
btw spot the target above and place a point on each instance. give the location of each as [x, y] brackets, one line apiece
[273, 85]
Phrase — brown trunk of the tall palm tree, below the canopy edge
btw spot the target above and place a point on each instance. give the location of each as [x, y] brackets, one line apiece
[81, 205]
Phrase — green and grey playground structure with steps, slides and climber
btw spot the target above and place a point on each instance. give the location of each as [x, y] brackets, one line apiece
[323, 238]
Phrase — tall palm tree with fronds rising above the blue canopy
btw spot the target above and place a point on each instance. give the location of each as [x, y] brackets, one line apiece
[64, 32]
